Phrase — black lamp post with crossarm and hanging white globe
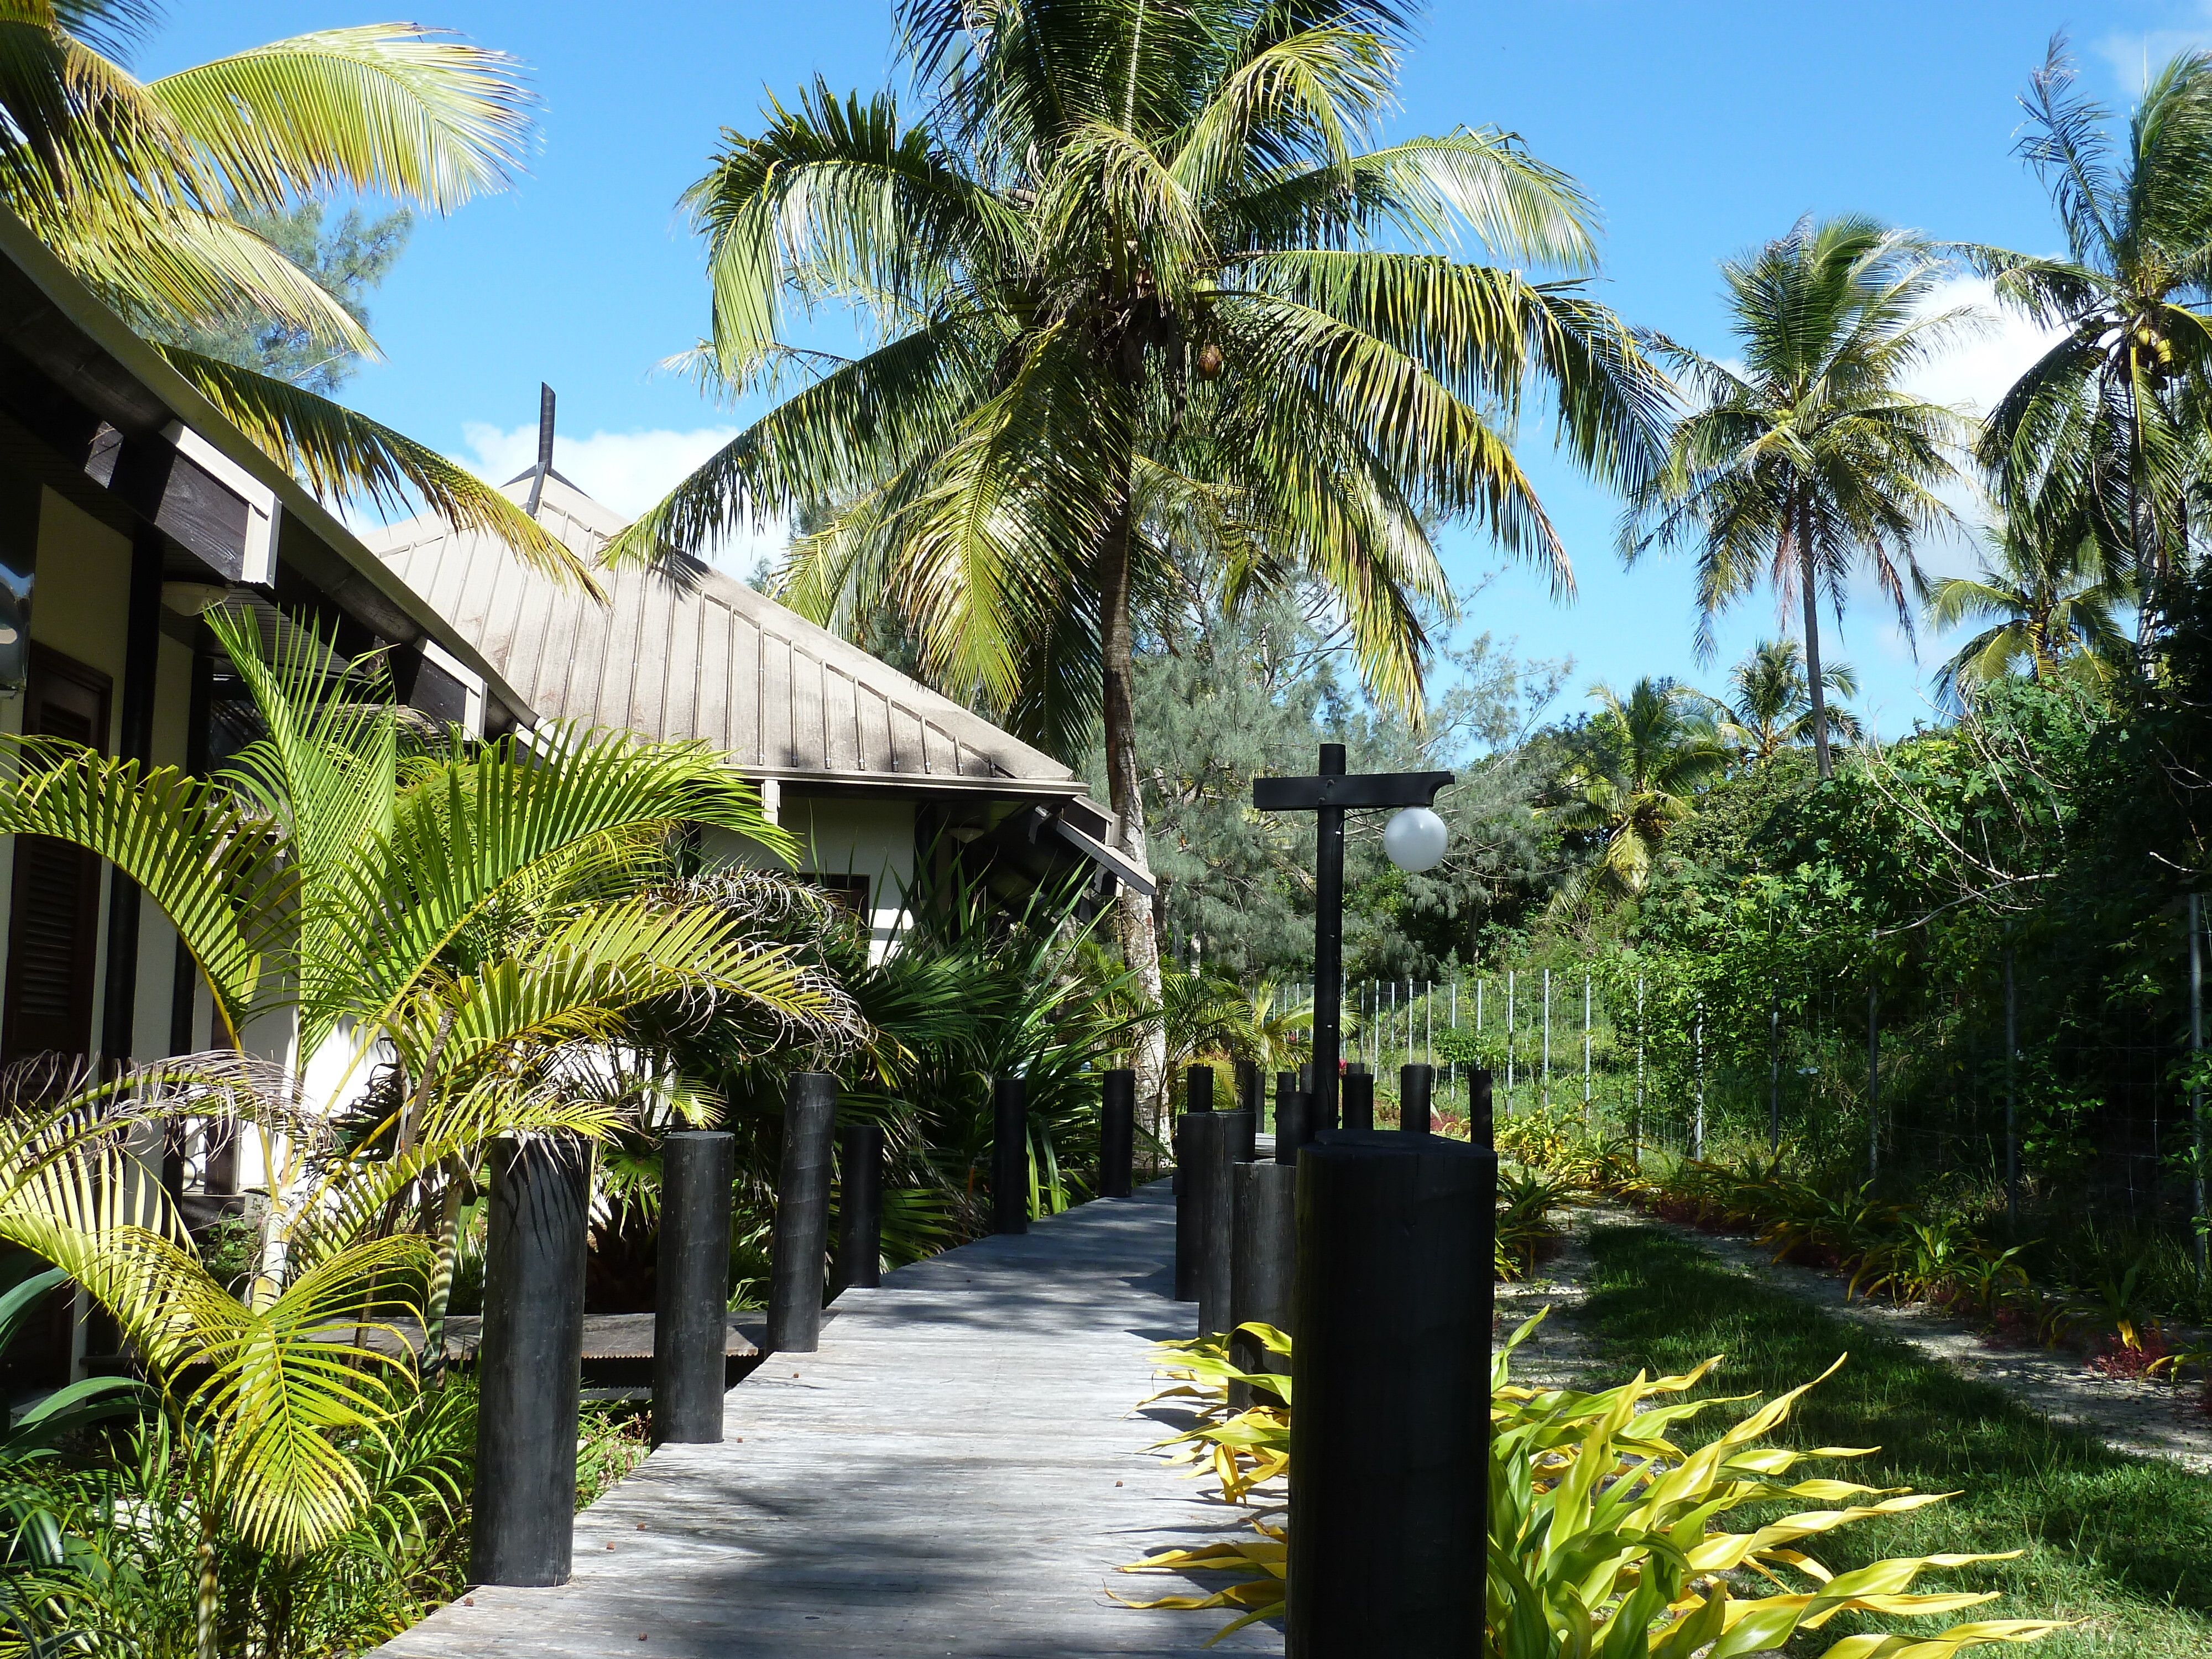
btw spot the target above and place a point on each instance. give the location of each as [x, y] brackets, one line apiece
[1415, 839]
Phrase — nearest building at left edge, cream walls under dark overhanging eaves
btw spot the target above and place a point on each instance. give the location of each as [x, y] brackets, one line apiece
[127, 510]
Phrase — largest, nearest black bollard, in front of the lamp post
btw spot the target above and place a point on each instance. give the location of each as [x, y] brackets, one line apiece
[1390, 1470]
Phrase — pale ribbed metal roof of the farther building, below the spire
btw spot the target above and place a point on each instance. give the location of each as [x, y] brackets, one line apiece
[691, 654]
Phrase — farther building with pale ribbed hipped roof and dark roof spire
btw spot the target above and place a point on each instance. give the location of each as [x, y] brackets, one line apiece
[864, 764]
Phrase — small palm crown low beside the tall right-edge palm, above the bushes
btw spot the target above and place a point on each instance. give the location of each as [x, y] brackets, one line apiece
[2052, 603]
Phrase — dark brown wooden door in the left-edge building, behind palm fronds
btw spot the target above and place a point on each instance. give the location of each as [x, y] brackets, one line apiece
[54, 919]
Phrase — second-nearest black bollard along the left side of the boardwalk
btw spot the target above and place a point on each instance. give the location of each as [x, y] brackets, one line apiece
[693, 1288]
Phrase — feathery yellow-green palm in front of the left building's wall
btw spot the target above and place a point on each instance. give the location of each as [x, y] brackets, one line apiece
[466, 941]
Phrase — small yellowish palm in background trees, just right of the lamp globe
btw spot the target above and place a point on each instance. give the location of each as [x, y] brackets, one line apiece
[1656, 751]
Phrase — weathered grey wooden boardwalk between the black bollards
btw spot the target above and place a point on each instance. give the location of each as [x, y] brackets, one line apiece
[957, 1472]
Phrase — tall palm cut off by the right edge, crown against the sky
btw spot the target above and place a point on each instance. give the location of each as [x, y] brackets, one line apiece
[2111, 421]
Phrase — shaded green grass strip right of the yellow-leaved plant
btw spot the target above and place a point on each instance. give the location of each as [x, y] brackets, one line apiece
[2120, 1543]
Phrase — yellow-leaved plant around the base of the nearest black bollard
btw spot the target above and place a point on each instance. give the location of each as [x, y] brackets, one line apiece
[1609, 1541]
